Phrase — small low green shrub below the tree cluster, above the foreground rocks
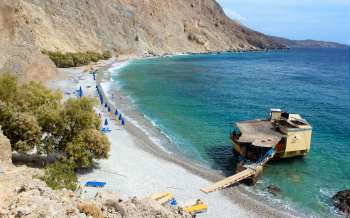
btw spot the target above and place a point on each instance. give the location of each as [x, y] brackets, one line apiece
[60, 175]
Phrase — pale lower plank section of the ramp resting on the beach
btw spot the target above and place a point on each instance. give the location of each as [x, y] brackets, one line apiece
[229, 181]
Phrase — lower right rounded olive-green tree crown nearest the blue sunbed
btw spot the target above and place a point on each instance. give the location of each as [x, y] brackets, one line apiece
[88, 145]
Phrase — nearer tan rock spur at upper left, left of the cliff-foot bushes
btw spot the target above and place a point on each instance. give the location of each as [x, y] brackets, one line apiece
[18, 53]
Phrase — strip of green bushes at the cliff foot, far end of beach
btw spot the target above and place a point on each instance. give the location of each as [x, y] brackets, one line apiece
[69, 59]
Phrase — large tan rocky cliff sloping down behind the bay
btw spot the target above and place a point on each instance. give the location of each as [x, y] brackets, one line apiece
[124, 26]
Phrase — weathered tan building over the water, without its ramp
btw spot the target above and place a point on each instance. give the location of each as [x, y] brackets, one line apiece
[289, 135]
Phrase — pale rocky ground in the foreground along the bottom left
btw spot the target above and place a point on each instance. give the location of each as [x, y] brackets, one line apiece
[22, 196]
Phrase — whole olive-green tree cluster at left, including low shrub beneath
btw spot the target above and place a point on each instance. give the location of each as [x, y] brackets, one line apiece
[35, 119]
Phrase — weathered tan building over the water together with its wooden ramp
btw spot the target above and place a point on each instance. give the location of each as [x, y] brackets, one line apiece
[281, 135]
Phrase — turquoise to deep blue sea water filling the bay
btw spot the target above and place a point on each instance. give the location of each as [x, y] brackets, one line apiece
[195, 99]
